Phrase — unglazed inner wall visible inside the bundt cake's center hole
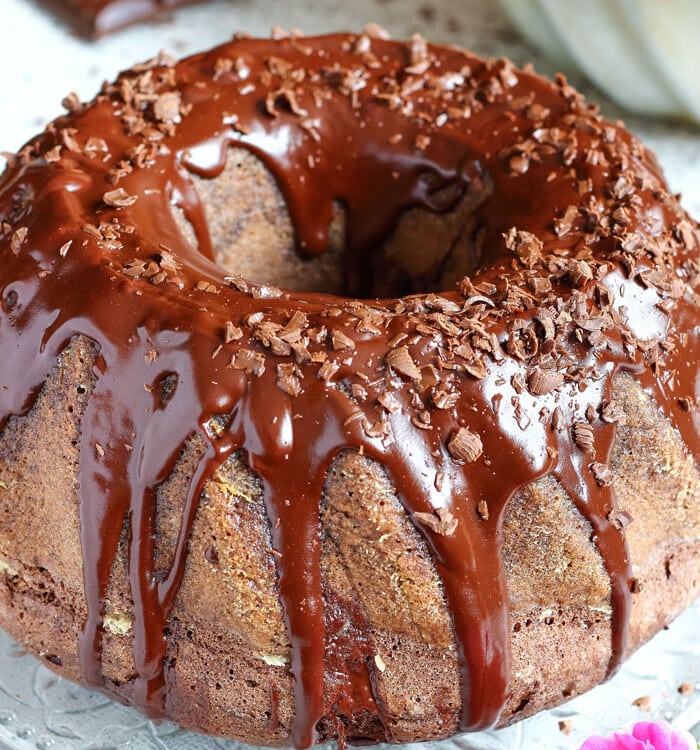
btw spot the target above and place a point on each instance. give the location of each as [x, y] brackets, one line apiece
[252, 235]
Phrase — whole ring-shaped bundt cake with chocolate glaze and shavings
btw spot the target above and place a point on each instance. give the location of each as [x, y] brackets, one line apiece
[348, 390]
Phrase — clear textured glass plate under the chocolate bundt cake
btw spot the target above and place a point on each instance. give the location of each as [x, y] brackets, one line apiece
[40, 711]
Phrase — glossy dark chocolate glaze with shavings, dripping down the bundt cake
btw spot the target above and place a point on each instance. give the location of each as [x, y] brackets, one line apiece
[472, 393]
